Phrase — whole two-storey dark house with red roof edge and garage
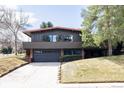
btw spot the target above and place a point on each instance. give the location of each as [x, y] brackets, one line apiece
[48, 45]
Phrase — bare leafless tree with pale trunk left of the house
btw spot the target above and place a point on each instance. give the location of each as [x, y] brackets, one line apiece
[13, 21]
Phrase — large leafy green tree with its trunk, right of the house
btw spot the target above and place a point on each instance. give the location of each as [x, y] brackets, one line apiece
[107, 22]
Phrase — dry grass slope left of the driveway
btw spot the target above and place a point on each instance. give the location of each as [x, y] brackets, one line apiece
[8, 64]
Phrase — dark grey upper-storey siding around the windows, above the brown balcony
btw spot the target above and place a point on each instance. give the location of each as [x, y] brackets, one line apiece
[37, 37]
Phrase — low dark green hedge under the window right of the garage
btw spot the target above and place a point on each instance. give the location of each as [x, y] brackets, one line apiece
[67, 58]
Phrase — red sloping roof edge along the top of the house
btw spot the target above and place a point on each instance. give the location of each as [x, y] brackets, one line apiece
[28, 32]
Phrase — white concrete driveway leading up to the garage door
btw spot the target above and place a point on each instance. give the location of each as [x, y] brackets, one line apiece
[33, 75]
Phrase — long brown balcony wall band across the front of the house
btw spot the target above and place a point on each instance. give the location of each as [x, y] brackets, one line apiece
[52, 45]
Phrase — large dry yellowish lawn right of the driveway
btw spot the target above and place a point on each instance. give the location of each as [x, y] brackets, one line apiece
[103, 69]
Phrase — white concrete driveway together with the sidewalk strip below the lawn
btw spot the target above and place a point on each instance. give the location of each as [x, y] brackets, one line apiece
[44, 75]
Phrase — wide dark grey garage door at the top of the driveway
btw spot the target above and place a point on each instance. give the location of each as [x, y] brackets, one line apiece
[46, 56]
